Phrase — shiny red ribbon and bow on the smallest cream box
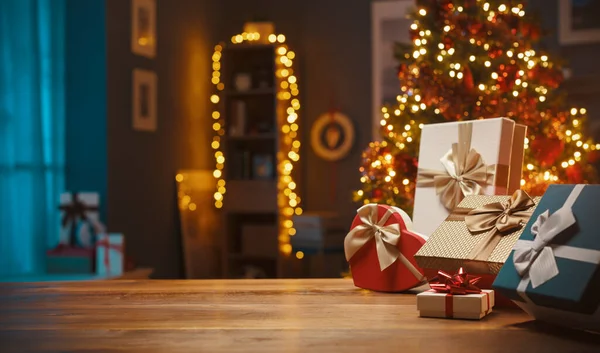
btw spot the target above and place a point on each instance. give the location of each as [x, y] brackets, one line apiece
[461, 283]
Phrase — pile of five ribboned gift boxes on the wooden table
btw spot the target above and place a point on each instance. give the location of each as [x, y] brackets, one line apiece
[477, 239]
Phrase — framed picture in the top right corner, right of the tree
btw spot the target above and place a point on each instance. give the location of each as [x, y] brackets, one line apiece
[578, 21]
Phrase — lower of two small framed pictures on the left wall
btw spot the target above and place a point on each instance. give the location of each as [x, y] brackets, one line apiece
[144, 100]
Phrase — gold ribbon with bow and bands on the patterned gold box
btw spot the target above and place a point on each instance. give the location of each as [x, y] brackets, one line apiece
[498, 219]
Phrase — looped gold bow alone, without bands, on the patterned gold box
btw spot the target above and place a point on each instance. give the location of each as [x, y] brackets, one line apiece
[506, 216]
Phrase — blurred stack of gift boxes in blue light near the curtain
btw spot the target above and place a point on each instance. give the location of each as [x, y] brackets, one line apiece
[84, 246]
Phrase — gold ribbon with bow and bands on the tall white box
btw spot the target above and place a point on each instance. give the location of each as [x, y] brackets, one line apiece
[465, 172]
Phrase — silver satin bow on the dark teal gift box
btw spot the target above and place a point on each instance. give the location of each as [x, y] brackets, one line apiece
[536, 258]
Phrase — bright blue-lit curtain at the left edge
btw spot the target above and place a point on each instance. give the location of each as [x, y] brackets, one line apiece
[32, 131]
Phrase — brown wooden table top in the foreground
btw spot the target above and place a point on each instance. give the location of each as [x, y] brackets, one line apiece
[325, 315]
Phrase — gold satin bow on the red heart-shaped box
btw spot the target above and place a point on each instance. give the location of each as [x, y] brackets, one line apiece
[386, 236]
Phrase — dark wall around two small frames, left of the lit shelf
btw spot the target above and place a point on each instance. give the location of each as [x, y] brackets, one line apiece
[142, 165]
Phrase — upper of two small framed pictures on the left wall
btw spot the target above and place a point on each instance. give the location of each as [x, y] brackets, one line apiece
[143, 27]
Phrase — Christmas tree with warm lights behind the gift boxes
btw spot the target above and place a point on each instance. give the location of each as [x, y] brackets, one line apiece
[475, 59]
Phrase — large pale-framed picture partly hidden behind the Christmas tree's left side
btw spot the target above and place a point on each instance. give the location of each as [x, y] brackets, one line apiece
[390, 25]
